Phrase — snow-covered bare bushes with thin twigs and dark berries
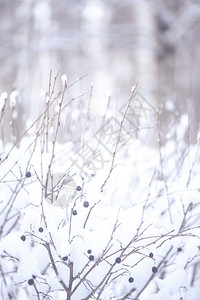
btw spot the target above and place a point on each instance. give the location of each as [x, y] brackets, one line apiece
[123, 224]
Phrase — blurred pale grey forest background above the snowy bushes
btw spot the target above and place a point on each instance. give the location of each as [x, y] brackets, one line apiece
[117, 43]
